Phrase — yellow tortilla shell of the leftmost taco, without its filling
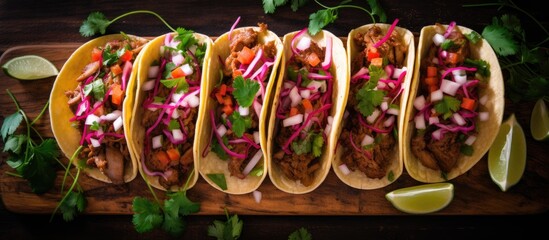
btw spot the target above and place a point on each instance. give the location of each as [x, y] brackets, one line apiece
[68, 137]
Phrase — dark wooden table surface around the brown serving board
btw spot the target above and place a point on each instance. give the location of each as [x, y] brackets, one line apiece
[26, 22]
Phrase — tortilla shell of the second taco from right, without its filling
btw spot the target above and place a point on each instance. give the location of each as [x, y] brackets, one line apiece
[358, 179]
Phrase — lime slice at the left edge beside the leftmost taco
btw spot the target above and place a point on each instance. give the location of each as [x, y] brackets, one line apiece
[29, 67]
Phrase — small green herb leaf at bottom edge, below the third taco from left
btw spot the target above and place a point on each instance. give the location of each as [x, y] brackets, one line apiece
[229, 230]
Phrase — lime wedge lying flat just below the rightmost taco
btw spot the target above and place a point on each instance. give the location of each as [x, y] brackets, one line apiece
[421, 199]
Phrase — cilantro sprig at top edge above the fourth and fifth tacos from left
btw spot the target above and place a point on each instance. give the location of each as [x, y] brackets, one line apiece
[321, 18]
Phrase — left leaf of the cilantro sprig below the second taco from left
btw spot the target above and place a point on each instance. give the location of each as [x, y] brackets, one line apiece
[147, 215]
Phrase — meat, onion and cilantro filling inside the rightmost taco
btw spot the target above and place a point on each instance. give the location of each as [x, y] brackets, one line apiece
[448, 99]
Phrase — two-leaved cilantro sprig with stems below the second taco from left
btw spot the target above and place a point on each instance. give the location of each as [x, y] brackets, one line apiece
[169, 216]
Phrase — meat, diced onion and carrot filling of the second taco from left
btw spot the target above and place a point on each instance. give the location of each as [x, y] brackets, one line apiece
[171, 103]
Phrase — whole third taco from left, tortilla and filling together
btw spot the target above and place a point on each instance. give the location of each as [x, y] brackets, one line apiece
[232, 135]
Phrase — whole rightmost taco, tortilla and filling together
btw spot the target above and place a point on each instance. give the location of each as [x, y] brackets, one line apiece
[456, 103]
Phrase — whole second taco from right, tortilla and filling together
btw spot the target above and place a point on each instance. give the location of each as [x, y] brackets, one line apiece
[381, 57]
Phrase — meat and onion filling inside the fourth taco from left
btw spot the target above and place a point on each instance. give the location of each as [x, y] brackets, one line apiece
[303, 115]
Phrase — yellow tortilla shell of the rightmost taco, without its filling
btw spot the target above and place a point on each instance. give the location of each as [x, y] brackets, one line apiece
[487, 130]
